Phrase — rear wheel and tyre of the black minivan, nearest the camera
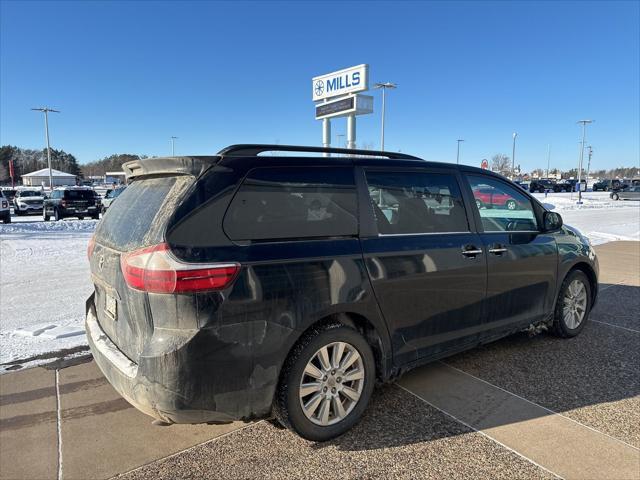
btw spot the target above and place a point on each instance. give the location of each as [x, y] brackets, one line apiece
[326, 383]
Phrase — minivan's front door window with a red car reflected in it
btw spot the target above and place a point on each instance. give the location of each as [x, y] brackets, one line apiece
[502, 207]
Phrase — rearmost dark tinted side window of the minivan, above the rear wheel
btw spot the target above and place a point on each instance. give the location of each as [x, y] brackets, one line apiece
[277, 203]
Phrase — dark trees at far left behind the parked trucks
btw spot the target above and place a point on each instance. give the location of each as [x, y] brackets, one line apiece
[26, 161]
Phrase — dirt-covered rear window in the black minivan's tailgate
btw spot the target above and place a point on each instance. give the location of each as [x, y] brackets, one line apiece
[140, 215]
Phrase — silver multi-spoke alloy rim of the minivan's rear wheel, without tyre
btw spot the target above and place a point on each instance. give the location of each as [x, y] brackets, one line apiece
[332, 383]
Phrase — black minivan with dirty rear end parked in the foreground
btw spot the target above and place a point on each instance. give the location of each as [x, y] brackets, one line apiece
[245, 285]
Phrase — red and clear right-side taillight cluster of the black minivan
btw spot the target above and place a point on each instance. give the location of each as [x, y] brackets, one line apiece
[155, 270]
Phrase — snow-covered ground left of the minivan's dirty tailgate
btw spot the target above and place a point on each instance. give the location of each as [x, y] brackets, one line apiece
[44, 281]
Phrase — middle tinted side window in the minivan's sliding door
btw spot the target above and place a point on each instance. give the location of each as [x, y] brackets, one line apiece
[410, 202]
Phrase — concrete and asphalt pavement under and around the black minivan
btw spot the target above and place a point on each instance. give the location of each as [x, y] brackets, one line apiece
[523, 407]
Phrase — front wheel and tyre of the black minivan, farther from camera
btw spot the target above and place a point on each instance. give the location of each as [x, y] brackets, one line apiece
[573, 305]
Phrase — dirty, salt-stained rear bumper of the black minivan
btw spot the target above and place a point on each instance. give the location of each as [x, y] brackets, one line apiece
[168, 399]
